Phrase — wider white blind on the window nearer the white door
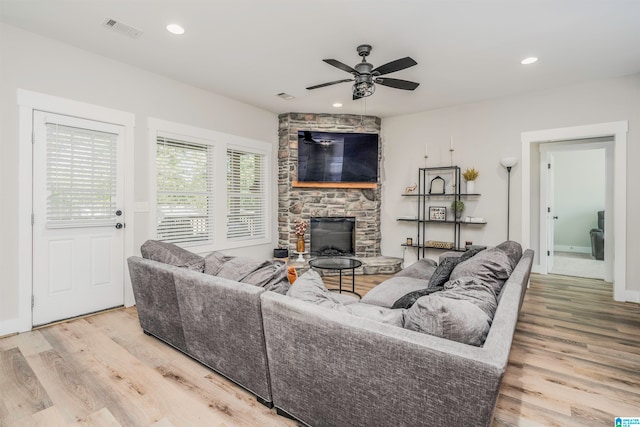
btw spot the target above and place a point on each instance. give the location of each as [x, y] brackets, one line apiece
[185, 192]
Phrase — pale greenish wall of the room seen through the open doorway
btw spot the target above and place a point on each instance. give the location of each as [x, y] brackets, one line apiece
[579, 186]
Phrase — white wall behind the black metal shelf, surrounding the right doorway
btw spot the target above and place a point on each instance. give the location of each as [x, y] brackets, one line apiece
[485, 132]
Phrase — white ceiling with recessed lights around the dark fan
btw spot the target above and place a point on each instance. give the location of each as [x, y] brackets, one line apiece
[251, 50]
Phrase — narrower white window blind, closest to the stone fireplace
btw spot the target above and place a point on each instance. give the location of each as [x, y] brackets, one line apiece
[246, 198]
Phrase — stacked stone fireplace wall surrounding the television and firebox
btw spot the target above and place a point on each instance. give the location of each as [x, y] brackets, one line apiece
[296, 203]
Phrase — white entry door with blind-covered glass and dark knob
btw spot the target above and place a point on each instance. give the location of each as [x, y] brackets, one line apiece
[78, 238]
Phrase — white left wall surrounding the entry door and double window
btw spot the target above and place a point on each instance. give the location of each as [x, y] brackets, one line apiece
[38, 64]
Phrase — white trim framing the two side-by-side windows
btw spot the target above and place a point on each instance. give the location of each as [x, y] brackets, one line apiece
[221, 142]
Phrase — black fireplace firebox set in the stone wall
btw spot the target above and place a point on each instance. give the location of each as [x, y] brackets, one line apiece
[332, 236]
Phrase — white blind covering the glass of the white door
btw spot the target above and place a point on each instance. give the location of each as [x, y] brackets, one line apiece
[81, 176]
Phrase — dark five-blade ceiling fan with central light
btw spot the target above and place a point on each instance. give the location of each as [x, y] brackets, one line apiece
[365, 76]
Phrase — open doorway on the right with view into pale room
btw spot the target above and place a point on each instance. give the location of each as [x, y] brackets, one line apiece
[574, 175]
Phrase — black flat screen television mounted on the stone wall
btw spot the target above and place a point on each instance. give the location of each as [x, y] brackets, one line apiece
[337, 157]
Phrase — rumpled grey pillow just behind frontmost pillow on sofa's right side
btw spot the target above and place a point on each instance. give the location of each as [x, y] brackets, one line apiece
[492, 266]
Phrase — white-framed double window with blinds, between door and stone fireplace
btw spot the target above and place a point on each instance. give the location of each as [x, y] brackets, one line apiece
[212, 189]
